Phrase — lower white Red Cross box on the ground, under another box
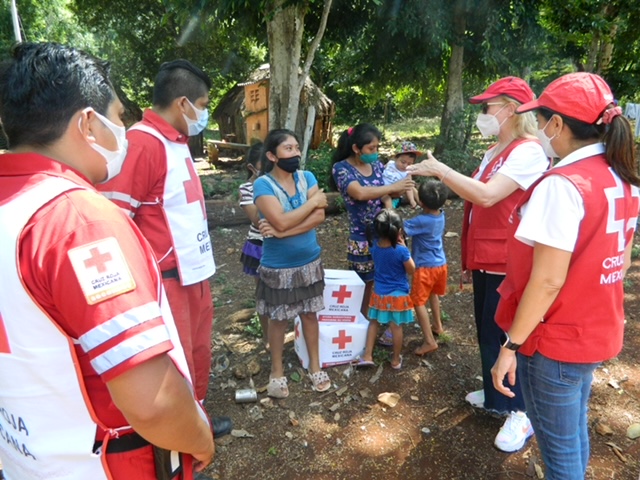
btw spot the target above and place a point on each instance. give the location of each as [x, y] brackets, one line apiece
[338, 342]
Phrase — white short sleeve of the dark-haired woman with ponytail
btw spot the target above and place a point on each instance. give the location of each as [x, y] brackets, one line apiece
[552, 215]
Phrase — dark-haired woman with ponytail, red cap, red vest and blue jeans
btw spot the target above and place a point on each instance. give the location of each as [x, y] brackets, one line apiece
[562, 300]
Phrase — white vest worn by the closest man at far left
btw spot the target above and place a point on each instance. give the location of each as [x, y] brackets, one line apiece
[45, 427]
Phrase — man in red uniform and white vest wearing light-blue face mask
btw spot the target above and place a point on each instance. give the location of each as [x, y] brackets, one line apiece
[160, 189]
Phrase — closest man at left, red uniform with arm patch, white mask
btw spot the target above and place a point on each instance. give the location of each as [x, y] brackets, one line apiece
[91, 367]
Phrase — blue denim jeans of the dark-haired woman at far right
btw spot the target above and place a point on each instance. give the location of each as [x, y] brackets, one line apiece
[556, 395]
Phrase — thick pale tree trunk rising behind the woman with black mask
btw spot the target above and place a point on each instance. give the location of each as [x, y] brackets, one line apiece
[285, 28]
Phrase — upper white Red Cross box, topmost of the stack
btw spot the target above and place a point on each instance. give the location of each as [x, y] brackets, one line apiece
[343, 292]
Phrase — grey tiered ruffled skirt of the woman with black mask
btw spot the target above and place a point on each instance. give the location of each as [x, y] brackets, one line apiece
[284, 293]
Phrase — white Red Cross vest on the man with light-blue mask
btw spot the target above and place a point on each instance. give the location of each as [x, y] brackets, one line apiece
[183, 207]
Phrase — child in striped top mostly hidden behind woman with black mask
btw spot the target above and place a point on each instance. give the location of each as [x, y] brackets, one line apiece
[252, 249]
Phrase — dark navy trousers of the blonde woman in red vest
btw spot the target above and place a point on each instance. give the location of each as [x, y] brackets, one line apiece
[485, 303]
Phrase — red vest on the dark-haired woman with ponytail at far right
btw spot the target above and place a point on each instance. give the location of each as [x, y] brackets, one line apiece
[586, 321]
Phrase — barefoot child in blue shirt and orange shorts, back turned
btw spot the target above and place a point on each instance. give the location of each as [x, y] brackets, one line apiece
[430, 278]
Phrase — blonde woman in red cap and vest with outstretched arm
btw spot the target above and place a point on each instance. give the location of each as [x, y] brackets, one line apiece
[508, 168]
